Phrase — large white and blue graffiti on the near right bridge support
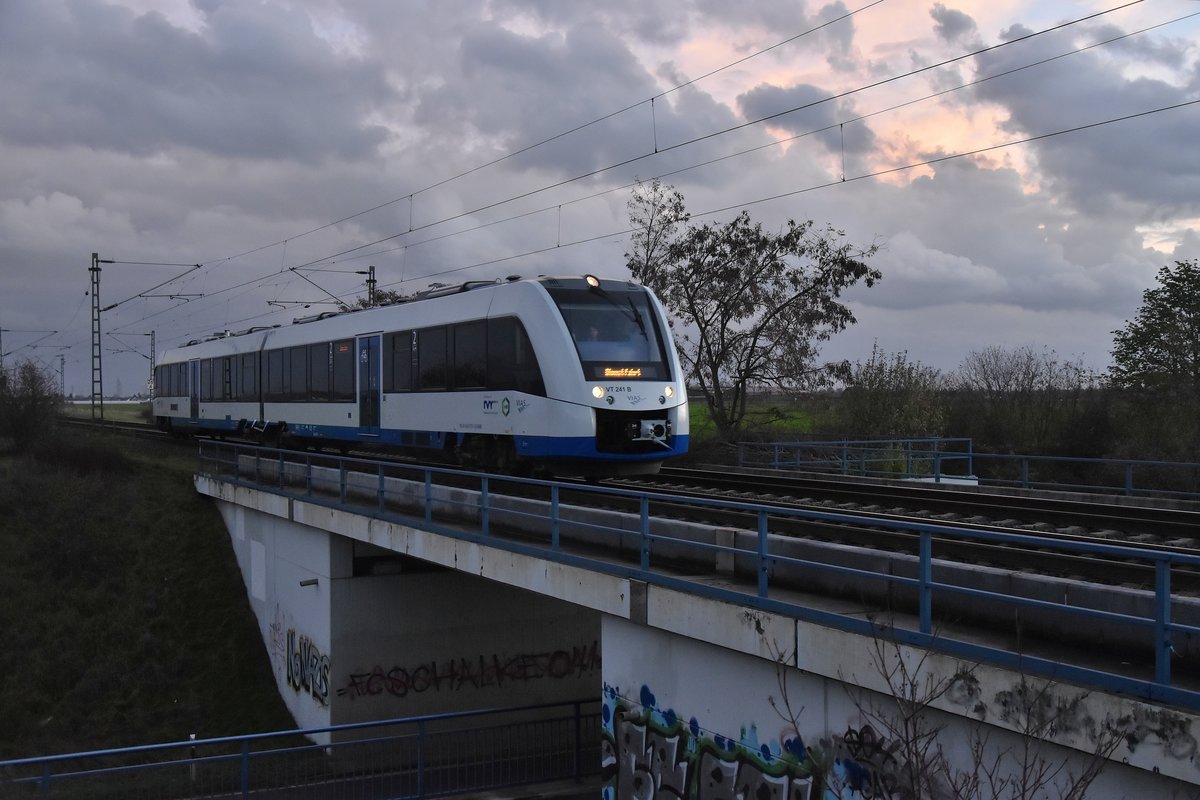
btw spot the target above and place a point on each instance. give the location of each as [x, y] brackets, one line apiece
[649, 753]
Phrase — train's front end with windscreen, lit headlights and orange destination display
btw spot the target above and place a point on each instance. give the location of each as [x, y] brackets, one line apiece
[632, 377]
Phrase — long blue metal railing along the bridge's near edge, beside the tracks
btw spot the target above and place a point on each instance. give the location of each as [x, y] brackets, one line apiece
[1153, 625]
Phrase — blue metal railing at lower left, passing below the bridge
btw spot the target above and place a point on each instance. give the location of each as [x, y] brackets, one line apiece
[411, 757]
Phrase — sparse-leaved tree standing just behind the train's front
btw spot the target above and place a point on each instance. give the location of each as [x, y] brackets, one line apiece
[753, 306]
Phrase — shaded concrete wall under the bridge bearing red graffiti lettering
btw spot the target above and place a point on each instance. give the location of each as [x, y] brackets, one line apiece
[443, 641]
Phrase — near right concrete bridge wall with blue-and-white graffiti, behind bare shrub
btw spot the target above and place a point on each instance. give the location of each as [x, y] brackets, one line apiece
[688, 719]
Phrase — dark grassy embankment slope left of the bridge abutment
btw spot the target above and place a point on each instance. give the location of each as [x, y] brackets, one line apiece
[123, 611]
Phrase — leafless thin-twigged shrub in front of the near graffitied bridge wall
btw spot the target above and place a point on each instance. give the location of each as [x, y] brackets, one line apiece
[899, 748]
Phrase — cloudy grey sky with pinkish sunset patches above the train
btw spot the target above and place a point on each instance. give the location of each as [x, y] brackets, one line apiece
[1025, 166]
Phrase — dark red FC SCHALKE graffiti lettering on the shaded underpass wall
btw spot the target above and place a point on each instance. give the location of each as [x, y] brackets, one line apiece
[458, 675]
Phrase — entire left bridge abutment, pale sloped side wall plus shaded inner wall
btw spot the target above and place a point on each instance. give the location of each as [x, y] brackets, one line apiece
[353, 649]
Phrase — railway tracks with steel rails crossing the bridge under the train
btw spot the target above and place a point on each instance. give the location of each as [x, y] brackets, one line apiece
[859, 504]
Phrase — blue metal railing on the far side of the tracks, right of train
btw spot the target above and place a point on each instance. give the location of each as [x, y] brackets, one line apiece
[947, 459]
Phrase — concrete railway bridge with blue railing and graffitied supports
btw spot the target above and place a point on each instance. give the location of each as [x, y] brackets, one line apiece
[730, 660]
